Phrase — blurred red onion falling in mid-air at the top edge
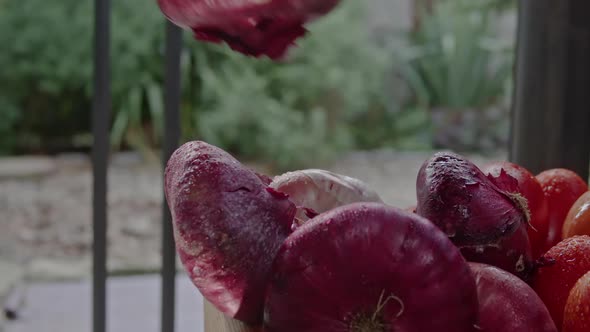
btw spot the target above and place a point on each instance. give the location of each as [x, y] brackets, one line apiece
[252, 27]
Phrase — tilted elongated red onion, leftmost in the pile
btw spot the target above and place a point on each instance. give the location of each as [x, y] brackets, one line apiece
[227, 226]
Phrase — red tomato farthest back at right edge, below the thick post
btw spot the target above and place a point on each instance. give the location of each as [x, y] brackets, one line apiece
[562, 188]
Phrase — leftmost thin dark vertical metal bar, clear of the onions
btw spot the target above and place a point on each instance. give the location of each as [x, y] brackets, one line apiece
[100, 131]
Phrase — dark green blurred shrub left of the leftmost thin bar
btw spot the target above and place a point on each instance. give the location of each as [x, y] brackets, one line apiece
[37, 82]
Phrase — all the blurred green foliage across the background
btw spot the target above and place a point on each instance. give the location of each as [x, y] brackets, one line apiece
[334, 93]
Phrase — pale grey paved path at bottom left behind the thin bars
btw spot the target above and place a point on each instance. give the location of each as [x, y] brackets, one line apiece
[133, 305]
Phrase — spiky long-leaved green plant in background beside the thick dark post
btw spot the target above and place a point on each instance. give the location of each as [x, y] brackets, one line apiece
[455, 60]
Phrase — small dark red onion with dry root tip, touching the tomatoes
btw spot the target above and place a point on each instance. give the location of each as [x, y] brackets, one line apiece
[471, 209]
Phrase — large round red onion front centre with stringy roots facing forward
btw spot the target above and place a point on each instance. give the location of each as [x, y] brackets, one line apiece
[370, 267]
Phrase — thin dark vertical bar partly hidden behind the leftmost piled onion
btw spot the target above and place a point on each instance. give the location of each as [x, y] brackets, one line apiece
[172, 97]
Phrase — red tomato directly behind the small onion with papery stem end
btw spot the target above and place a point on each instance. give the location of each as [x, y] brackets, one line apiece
[530, 188]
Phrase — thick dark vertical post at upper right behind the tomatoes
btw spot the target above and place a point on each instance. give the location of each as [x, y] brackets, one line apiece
[551, 120]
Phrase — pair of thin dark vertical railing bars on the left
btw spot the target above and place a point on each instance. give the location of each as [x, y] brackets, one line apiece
[100, 156]
